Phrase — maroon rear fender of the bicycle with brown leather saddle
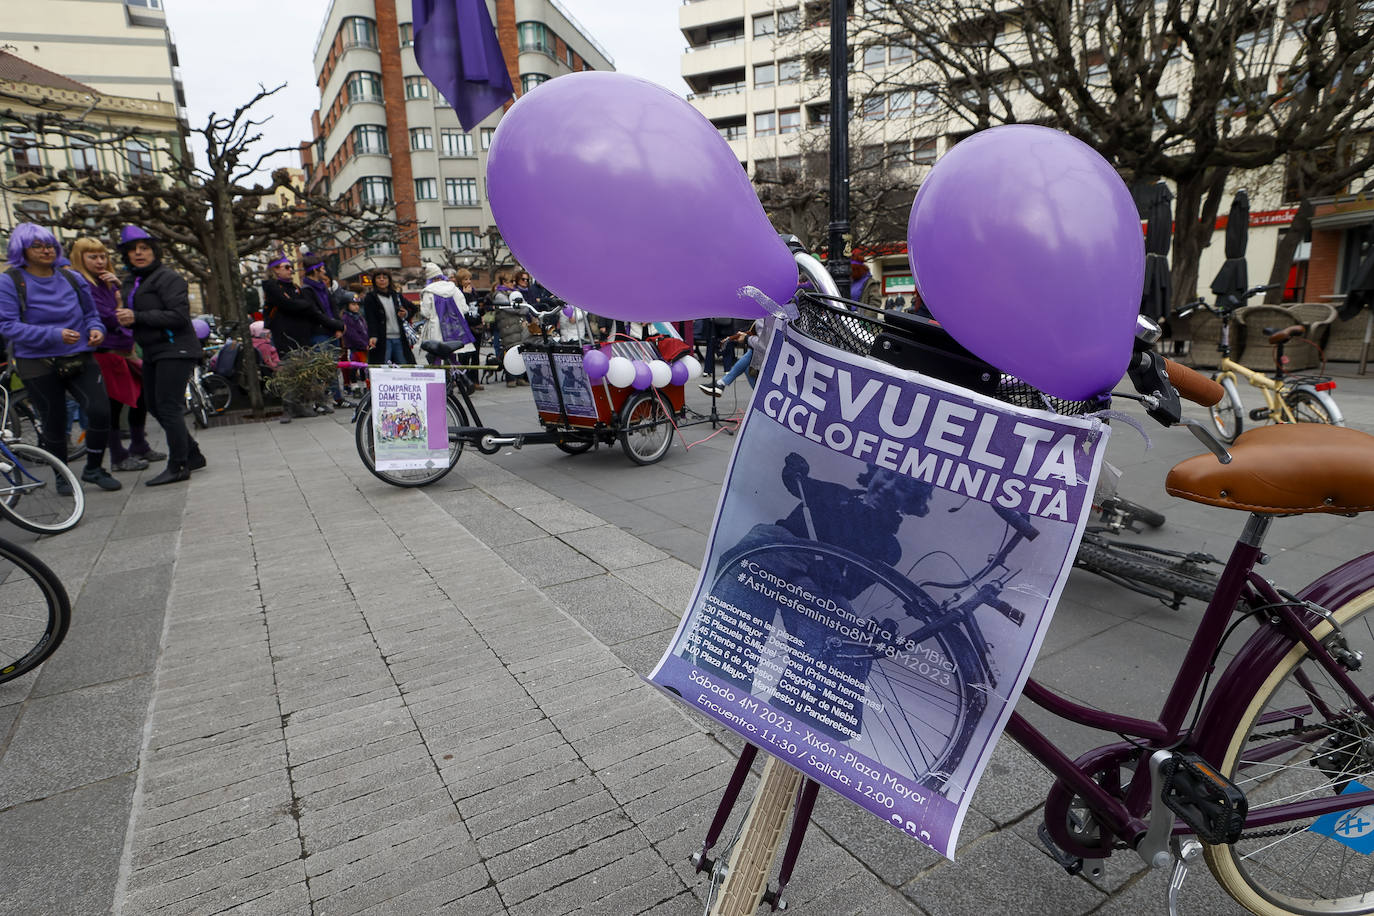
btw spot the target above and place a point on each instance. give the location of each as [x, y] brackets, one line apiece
[1266, 649]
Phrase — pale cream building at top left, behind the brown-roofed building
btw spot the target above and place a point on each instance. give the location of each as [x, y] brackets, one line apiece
[116, 47]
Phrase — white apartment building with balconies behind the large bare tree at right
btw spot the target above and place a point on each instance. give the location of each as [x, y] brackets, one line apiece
[759, 71]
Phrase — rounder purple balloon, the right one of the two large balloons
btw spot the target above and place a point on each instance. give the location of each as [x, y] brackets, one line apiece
[1027, 248]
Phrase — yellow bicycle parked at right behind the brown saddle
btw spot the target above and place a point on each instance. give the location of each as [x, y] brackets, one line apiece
[1287, 399]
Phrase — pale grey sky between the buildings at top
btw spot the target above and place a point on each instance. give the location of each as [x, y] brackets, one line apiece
[227, 50]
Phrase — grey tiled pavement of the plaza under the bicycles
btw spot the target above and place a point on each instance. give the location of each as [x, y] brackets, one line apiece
[292, 689]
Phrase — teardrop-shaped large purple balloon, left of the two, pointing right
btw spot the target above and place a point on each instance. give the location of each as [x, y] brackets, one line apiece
[596, 165]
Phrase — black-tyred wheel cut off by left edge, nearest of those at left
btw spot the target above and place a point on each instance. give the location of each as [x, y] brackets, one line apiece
[35, 612]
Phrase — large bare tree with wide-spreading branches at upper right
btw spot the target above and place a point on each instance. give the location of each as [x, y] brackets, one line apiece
[1182, 90]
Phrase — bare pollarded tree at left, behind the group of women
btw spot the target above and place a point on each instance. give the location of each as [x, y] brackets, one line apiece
[211, 216]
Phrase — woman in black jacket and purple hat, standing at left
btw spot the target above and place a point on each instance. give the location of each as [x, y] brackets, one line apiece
[155, 304]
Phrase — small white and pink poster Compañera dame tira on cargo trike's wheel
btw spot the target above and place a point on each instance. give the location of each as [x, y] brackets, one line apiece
[410, 424]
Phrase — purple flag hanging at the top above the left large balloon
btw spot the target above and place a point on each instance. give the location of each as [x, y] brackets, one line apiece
[457, 49]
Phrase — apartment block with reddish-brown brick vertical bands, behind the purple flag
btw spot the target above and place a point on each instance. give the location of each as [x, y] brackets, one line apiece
[384, 135]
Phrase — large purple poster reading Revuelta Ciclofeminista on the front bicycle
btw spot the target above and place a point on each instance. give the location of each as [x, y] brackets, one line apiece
[886, 561]
